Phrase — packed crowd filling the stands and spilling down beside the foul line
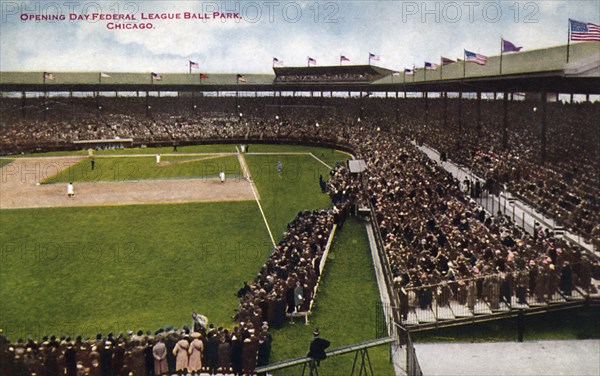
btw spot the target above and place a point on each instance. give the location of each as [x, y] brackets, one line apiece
[440, 244]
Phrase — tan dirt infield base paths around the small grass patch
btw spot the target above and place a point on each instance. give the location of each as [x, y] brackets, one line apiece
[20, 188]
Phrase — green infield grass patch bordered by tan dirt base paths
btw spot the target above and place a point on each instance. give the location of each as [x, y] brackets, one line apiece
[140, 168]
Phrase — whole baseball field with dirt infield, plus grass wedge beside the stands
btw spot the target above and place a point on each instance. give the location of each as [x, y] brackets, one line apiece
[143, 242]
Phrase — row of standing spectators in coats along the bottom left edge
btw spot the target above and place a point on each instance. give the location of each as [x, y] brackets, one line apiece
[166, 352]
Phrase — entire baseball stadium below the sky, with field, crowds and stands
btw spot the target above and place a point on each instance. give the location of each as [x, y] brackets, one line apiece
[251, 213]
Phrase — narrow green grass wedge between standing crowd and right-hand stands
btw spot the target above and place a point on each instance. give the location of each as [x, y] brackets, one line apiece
[345, 310]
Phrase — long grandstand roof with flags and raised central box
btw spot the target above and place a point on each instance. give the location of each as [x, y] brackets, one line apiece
[528, 71]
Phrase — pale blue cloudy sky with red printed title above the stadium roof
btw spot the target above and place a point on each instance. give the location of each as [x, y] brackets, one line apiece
[402, 33]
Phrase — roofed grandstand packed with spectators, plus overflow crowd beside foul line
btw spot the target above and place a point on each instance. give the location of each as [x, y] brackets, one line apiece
[445, 259]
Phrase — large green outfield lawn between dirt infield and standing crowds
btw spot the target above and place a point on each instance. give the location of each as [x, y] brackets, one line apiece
[109, 269]
